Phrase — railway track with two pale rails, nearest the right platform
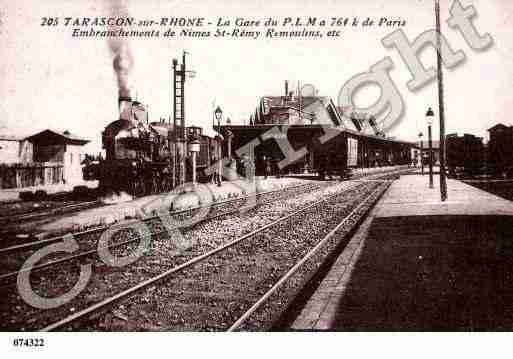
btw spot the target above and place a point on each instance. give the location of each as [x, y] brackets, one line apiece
[184, 280]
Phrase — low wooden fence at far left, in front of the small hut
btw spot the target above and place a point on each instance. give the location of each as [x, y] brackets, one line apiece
[21, 175]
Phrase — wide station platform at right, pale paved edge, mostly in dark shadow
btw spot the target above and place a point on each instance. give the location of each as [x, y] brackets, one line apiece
[419, 264]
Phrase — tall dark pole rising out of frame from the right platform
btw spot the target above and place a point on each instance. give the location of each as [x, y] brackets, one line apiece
[443, 181]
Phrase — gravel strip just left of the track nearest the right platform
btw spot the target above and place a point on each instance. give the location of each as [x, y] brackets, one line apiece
[162, 254]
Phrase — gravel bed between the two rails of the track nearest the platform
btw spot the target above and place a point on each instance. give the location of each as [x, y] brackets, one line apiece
[214, 293]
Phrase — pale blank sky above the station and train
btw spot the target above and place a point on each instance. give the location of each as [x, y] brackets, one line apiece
[48, 79]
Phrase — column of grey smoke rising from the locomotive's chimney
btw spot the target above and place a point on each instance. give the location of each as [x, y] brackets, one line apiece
[120, 49]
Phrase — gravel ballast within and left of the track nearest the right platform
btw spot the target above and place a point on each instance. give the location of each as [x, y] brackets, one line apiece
[209, 295]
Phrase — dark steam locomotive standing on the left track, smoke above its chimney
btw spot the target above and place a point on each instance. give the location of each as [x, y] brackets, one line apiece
[143, 158]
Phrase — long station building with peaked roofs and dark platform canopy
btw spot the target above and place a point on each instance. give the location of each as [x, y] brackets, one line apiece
[319, 132]
